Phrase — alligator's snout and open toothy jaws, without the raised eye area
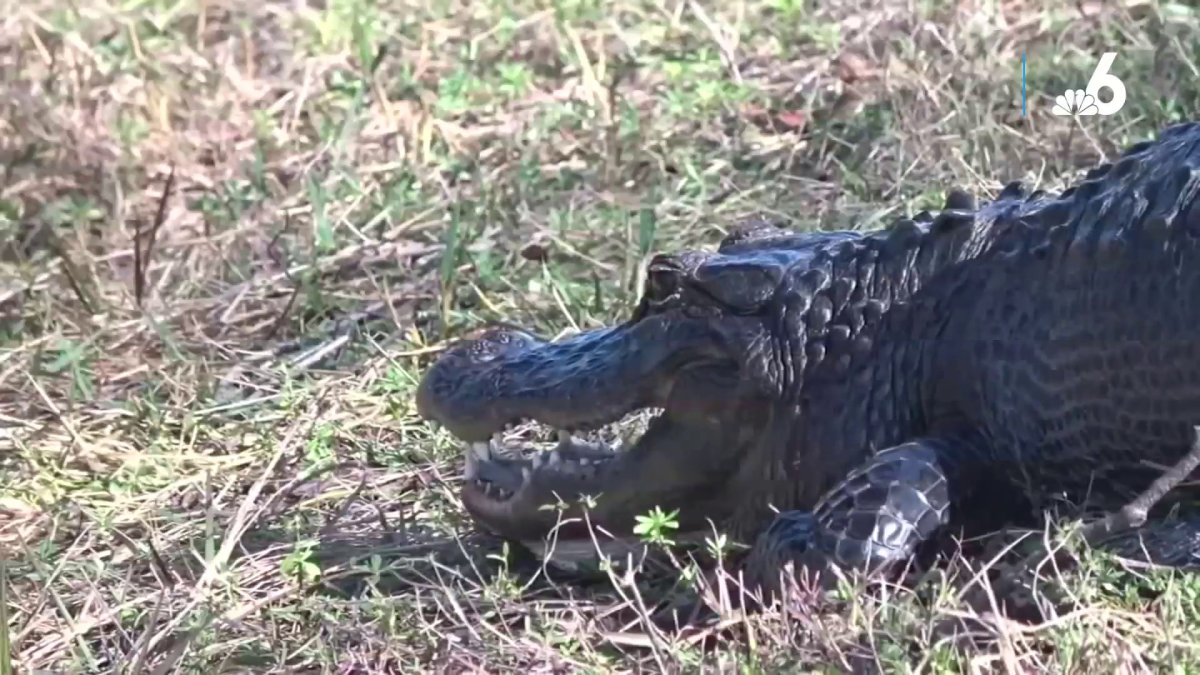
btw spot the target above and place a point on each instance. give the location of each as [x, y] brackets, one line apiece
[680, 366]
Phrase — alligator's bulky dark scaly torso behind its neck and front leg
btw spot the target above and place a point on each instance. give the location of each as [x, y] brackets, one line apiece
[1093, 318]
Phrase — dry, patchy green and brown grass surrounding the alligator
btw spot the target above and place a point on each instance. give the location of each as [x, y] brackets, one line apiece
[233, 235]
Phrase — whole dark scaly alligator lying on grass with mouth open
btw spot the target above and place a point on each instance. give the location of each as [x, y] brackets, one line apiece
[849, 398]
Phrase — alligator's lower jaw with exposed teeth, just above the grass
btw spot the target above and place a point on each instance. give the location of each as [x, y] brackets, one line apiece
[679, 462]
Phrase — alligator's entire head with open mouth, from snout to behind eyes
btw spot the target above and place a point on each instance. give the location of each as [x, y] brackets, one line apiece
[701, 351]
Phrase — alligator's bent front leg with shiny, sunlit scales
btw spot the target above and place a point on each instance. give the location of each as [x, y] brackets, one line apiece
[874, 519]
